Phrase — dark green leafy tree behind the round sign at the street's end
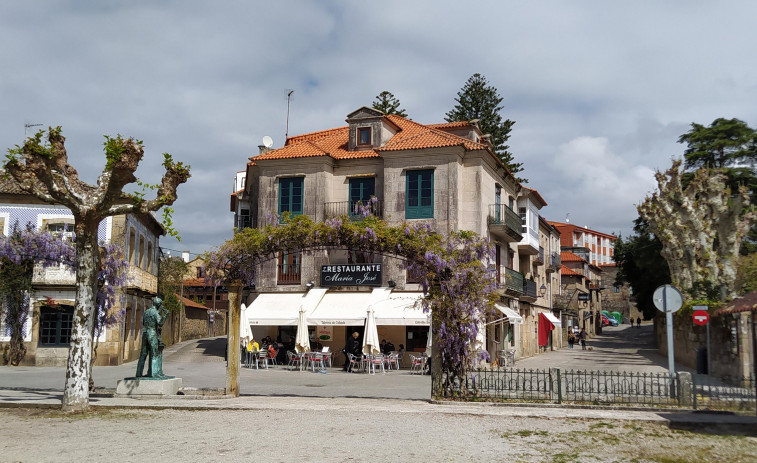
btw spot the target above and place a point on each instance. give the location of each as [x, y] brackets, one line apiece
[640, 264]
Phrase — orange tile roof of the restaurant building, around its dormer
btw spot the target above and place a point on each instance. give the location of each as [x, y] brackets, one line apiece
[333, 142]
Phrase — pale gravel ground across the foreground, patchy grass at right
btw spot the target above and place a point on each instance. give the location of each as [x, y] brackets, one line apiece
[340, 431]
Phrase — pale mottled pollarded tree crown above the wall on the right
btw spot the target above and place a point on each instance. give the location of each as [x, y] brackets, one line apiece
[701, 228]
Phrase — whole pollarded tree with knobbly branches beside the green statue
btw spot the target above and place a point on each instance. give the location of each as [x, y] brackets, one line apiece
[42, 169]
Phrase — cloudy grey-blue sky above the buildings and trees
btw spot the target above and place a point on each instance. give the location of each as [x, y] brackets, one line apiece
[600, 91]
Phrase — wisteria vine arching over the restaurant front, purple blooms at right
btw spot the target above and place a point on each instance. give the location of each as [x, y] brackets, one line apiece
[451, 270]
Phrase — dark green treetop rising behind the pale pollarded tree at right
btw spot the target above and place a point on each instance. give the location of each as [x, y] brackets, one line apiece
[725, 143]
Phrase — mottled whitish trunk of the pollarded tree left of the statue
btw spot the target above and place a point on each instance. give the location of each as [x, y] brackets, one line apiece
[76, 391]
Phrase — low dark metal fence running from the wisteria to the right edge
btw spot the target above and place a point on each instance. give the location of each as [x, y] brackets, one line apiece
[604, 387]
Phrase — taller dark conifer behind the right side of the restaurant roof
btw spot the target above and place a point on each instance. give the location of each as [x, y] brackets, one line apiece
[478, 100]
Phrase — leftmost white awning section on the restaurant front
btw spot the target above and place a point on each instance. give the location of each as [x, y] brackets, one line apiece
[282, 308]
